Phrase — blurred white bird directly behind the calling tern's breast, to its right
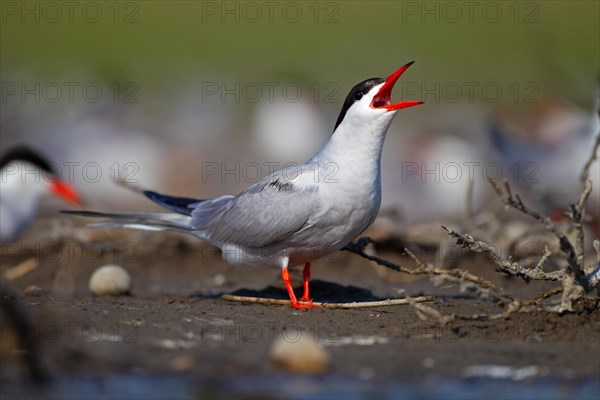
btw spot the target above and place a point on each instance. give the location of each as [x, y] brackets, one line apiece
[432, 177]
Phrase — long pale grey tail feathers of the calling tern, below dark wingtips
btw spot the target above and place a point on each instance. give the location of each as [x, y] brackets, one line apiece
[140, 220]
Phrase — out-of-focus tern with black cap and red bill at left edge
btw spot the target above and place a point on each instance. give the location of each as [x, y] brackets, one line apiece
[25, 177]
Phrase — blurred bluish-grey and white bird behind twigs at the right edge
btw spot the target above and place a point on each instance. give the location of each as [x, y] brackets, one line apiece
[544, 151]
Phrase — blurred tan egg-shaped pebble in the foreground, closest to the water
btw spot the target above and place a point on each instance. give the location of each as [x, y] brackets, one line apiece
[303, 356]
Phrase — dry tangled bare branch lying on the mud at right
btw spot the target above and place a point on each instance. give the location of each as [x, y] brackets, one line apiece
[575, 281]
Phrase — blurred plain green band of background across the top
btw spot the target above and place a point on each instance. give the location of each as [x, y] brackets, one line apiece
[156, 43]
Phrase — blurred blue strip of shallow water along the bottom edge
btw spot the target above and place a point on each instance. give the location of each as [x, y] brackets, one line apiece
[296, 387]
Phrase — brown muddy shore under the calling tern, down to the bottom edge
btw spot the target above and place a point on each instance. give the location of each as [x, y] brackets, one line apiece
[174, 337]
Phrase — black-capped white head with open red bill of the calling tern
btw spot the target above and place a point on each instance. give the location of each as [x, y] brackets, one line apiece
[368, 106]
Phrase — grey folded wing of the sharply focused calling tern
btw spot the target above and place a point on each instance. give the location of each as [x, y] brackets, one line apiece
[268, 212]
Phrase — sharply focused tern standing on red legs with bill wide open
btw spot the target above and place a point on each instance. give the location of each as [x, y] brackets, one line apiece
[301, 213]
